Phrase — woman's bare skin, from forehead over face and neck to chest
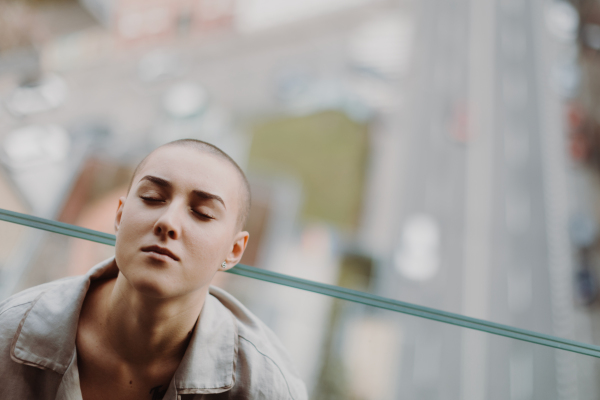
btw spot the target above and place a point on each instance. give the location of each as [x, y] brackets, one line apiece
[134, 329]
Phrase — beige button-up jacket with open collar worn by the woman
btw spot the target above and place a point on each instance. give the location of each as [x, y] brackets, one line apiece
[232, 354]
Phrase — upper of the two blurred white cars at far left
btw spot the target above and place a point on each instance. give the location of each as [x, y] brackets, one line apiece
[43, 94]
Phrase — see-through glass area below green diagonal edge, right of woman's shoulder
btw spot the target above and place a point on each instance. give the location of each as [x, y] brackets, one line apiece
[350, 351]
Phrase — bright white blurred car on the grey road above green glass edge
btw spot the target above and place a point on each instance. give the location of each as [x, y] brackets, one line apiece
[417, 256]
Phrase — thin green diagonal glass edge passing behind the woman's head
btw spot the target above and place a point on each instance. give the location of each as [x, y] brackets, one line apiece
[333, 291]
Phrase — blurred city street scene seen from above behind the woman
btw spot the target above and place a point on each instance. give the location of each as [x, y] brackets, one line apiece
[440, 152]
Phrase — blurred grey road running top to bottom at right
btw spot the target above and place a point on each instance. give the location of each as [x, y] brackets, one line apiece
[496, 252]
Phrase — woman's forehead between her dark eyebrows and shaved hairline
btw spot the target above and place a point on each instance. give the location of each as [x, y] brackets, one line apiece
[192, 169]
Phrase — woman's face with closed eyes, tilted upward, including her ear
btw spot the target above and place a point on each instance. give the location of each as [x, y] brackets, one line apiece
[178, 222]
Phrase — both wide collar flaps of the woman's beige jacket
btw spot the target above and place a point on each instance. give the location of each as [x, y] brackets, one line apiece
[46, 335]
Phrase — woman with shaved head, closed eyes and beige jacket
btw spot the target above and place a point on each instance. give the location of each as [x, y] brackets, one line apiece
[145, 324]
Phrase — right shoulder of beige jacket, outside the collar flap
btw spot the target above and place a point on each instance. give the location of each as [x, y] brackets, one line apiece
[263, 364]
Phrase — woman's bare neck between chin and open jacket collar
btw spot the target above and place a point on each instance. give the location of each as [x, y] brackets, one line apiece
[144, 330]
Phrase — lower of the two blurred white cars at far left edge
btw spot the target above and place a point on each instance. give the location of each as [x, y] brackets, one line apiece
[35, 145]
